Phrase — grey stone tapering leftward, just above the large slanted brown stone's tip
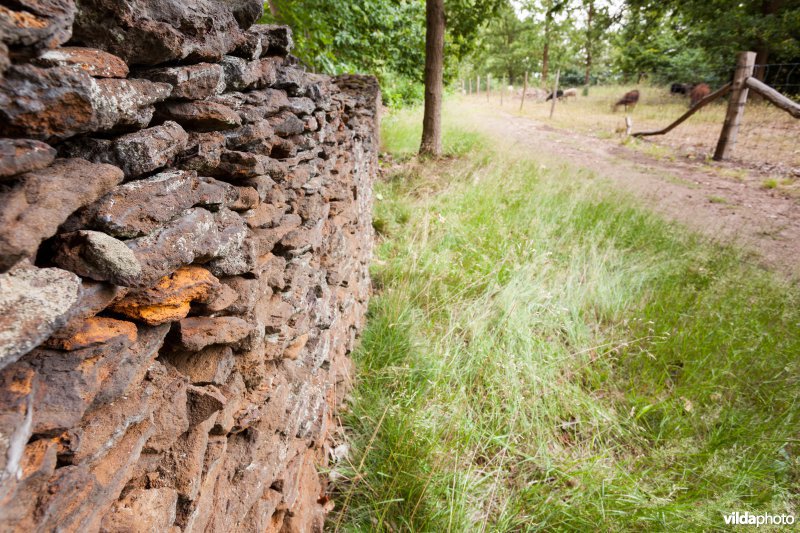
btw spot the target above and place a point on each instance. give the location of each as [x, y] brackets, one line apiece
[135, 153]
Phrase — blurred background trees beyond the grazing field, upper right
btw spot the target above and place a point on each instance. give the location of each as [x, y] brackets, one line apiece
[663, 41]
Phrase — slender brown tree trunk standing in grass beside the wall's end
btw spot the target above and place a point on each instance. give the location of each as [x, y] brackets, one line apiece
[434, 66]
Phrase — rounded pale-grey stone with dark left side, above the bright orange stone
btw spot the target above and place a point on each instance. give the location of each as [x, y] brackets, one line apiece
[97, 256]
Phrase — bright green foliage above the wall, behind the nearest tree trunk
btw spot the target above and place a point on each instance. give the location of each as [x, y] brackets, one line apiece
[381, 37]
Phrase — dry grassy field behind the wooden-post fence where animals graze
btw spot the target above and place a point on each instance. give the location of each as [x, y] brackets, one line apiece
[768, 136]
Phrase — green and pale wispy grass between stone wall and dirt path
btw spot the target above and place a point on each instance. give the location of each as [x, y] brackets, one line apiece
[542, 354]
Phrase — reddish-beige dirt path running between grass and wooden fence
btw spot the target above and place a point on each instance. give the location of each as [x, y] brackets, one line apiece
[729, 209]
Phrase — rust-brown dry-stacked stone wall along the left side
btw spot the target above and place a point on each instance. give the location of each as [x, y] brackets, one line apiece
[185, 233]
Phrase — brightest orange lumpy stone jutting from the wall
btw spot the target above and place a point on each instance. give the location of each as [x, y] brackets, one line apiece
[171, 298]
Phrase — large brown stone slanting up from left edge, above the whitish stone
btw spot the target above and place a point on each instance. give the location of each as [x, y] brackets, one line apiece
[33, 206]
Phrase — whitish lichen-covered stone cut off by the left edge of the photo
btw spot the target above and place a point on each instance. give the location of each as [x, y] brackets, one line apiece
[34, 302]
